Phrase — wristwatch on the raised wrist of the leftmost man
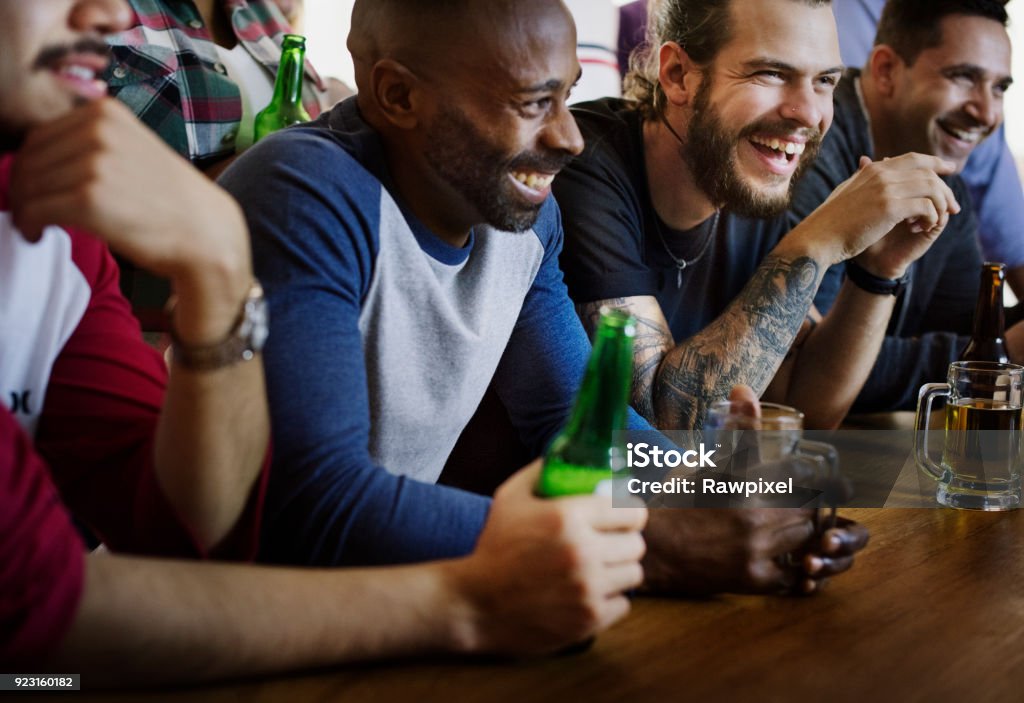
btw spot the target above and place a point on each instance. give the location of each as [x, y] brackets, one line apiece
[241, 344]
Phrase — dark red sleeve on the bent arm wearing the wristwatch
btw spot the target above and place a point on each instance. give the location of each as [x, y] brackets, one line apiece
[99, 428]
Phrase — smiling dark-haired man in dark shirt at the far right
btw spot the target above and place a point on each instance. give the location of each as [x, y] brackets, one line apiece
[934, 84]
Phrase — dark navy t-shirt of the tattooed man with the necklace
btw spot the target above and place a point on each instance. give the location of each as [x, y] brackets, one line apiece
[616, 245]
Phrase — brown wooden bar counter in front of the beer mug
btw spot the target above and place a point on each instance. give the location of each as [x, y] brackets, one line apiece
[933, 611]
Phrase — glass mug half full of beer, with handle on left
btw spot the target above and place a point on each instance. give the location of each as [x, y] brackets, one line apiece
[982, 454]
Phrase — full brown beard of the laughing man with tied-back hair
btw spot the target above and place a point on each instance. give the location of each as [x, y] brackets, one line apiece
[711, 154]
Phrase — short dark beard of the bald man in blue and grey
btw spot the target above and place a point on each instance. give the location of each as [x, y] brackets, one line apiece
[480, 171]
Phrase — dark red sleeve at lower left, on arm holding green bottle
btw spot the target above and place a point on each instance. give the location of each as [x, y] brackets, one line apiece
[41, 555]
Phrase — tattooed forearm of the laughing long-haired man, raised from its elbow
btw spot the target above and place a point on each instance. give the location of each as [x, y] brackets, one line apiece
[746, 345]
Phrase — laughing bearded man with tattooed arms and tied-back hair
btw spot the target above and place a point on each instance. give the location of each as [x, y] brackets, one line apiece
[674, 212]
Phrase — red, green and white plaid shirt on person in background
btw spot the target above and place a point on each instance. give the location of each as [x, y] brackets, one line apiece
[167, 70]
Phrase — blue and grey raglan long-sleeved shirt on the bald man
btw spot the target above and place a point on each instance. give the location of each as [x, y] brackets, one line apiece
[383, 341]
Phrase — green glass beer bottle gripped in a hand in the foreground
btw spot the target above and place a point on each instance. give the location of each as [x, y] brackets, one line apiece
[587, 452]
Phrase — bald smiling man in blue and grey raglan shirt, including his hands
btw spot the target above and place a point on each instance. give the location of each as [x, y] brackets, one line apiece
[409, 244]
